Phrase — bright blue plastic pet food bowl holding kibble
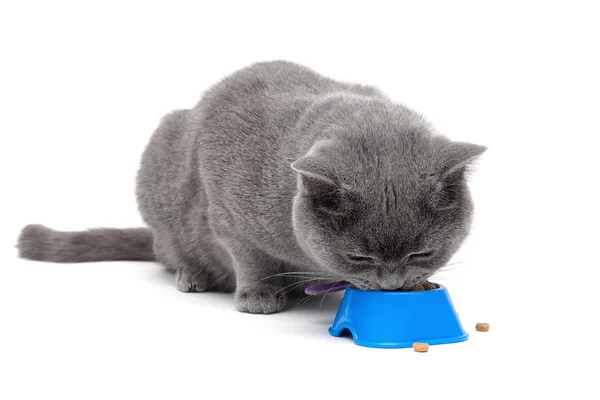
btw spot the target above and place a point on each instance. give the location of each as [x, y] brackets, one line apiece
[395, 319]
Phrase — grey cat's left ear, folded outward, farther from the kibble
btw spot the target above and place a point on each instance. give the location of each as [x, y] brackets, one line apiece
[319, 184]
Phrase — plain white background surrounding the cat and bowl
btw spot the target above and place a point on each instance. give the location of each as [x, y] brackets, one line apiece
[83, 86]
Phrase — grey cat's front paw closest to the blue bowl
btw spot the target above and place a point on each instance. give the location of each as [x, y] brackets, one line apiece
[259, 299]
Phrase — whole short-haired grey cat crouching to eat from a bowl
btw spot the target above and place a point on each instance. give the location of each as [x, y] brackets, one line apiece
[280, 173]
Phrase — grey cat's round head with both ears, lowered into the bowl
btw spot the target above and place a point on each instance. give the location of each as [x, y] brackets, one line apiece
[384, 212]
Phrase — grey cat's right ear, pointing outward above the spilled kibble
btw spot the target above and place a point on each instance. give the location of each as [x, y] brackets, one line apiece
[457, 157]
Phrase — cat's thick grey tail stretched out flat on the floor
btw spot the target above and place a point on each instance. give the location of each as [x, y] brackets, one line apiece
[36, 242]
